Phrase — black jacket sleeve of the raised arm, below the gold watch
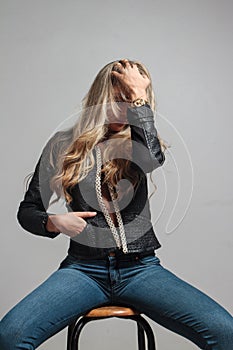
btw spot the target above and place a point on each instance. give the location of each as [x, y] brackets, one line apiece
[146, 148]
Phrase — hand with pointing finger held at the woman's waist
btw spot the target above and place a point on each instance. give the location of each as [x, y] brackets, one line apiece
[71, 224]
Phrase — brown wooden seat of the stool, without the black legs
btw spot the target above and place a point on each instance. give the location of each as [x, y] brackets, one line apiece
[111, 311]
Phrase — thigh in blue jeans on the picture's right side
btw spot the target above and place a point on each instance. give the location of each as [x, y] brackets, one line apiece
[178, 306]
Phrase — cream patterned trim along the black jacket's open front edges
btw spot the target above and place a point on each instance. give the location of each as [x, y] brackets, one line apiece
[120, 238]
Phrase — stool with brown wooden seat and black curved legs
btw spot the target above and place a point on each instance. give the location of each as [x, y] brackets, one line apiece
[143, 327]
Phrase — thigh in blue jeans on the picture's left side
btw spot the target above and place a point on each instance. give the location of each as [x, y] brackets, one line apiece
[63, 296]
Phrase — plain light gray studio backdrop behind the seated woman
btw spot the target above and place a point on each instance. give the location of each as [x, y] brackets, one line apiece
[50, 53]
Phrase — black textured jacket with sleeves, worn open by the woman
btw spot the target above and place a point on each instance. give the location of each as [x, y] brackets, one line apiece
[96, 239]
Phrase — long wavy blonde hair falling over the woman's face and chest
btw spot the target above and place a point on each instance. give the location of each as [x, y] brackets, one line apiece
[74, 158]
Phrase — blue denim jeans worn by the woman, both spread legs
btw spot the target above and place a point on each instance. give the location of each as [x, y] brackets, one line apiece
[77, 286]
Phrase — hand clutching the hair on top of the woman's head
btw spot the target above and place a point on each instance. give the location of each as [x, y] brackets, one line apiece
[131, 79]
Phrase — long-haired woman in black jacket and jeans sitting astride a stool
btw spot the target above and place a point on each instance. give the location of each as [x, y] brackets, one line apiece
[99, 166]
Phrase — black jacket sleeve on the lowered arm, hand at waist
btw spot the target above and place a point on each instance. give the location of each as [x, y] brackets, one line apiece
[32, 214]
